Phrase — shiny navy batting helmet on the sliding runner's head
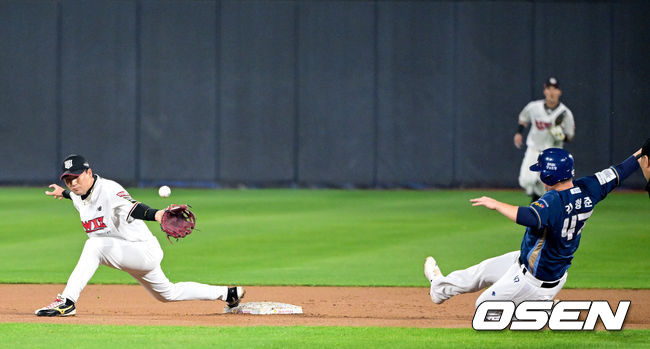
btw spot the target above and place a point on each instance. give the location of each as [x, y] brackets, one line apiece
[555, 165]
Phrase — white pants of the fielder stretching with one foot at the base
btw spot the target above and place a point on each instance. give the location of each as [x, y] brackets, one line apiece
[142, 261]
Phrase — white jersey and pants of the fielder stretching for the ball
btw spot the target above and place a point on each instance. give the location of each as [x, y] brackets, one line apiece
[119, 241]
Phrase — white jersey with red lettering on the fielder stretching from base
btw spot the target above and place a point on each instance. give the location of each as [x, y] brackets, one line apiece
[106, 213]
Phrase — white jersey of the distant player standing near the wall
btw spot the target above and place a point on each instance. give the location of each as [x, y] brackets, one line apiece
[541, 119]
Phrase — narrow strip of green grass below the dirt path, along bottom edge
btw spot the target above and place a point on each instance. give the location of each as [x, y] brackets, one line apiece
[64, 336]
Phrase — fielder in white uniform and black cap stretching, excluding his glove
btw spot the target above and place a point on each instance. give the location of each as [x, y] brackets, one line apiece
[118, 238]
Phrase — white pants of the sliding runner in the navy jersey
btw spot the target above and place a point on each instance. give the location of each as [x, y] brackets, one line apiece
[503, 275]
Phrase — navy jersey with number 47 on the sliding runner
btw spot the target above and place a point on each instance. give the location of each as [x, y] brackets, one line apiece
[547, 250]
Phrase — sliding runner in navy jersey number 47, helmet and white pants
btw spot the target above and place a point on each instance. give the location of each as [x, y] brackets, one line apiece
[554, 225]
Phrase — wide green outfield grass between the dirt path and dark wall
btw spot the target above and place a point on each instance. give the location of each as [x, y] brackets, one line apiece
[322, 237]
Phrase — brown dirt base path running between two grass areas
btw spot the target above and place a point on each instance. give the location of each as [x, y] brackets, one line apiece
[322, 306]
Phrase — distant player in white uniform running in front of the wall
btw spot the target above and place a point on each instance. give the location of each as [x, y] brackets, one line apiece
[551, 124]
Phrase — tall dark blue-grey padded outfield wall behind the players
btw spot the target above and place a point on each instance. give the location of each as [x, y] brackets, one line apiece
[312, 92]
